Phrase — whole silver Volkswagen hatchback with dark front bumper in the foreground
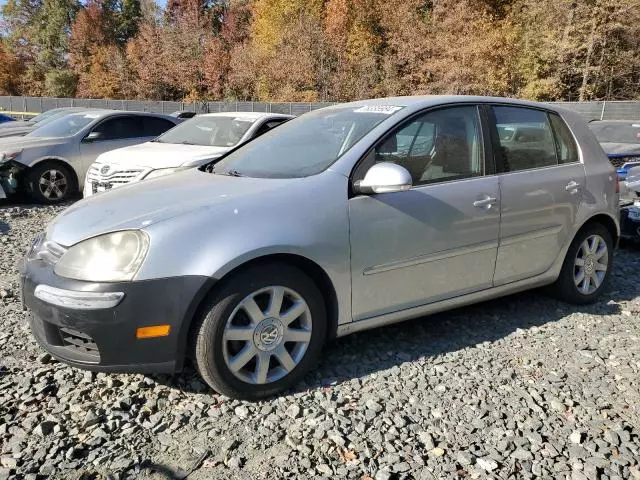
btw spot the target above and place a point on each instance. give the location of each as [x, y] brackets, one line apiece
[343, 219]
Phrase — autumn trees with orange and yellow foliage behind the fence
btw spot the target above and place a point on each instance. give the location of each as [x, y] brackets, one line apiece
[321, 50]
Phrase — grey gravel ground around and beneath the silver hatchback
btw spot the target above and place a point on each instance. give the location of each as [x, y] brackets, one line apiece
[518, 388]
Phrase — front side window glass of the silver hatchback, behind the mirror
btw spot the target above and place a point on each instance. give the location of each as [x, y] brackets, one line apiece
[436, 147]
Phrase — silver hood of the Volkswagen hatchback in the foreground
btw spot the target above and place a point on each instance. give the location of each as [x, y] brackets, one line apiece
[153, 201]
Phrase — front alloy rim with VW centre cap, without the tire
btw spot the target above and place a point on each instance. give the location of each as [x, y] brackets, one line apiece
[267, 335]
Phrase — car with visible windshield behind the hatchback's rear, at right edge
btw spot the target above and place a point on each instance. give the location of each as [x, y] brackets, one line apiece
[620, 139]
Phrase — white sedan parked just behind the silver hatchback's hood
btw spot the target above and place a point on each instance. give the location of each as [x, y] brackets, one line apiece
[191, 144]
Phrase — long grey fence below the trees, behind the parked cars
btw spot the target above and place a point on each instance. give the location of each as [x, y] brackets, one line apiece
[23, 106]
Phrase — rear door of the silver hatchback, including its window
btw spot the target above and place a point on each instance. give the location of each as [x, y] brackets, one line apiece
[541, 186]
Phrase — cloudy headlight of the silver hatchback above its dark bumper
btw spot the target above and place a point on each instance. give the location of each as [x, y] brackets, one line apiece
[113, 257]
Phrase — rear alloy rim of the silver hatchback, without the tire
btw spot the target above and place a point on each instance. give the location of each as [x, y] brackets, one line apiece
[591, 264]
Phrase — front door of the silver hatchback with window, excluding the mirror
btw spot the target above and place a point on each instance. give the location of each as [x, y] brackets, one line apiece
[437, 240]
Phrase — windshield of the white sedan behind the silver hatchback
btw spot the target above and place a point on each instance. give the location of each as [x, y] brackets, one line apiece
[218, 131]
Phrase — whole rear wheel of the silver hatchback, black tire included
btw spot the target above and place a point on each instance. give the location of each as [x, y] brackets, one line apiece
[567, 286]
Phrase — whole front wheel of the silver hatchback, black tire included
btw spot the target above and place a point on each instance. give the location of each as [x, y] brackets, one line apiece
[225, 314]
